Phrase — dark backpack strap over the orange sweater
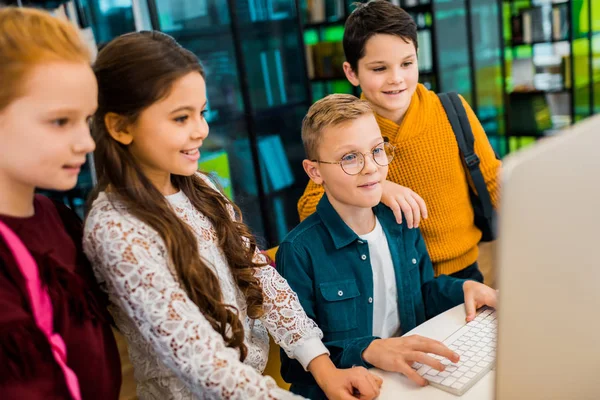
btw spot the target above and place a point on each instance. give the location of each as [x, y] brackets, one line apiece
[461, 126]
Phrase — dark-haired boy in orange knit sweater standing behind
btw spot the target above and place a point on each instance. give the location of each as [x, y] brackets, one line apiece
[380, 44]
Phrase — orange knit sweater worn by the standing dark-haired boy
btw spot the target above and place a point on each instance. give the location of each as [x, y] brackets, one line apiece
[428, 161]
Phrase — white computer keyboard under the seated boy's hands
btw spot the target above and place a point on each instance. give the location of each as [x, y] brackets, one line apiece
[476, 344]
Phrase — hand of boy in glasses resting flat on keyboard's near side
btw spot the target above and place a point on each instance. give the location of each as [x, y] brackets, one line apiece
[399, 353]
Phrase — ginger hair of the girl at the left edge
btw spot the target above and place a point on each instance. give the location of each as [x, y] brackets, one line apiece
[28, 38]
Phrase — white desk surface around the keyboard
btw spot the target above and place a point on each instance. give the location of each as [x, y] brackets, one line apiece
[397, 386]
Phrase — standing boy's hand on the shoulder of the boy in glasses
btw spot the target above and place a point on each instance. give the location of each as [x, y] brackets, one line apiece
[403, 200]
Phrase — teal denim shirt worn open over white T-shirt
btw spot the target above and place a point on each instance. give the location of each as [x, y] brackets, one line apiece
[329, 267]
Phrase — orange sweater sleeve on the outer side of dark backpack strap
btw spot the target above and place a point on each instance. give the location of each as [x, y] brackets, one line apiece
[490, 166]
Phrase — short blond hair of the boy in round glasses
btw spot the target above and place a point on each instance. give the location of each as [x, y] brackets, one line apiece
[332, 110]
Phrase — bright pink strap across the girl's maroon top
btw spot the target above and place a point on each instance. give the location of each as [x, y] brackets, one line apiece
[41, 305]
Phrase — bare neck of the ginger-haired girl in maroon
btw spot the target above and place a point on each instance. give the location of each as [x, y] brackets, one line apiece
[16, 198]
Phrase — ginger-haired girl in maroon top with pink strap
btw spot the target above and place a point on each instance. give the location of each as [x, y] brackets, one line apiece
[55, 339]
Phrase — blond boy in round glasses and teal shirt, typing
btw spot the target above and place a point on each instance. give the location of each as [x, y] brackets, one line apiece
[363, 278]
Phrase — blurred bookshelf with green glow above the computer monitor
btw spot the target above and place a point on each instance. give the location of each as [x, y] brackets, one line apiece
[551, 76]
